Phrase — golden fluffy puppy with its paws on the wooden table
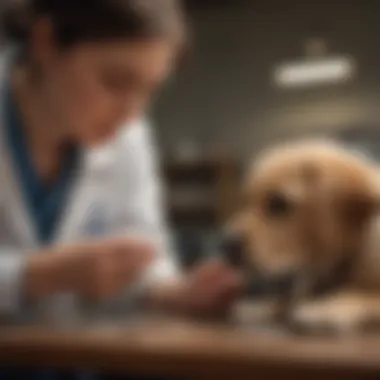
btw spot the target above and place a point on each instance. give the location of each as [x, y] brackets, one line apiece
[310, 224]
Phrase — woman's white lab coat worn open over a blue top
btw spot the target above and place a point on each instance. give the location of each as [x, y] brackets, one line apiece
[118, 192]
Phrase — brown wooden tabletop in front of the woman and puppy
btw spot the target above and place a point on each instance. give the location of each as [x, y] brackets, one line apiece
[186, 350]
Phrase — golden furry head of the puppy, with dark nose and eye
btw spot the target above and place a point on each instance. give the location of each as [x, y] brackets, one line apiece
[306, 207]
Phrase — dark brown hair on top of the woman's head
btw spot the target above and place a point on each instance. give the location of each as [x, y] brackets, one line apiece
[78, 21]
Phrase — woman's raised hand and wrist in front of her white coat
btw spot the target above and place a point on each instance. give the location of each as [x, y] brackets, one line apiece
[95, 270]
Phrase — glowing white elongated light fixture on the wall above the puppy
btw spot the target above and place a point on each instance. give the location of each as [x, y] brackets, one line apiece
[314, 72]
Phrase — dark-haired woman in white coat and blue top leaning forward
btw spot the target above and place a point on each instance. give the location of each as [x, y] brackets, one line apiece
[81, 220]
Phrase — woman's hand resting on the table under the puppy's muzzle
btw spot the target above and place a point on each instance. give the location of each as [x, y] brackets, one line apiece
[207, 291]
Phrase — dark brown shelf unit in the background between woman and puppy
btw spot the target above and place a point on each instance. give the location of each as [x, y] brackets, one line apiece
[205, 189]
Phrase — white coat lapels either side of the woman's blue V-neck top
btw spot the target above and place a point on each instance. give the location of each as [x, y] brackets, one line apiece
[93, 176]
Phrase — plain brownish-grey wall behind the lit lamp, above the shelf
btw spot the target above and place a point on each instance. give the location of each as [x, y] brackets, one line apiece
[226, 94]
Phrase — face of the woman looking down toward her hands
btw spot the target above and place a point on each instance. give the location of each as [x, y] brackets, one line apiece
[93, 88]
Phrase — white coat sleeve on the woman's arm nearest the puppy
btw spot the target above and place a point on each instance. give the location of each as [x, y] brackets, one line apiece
[144, 206]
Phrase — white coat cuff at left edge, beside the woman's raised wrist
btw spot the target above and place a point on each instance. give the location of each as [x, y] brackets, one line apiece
[12, 267]
